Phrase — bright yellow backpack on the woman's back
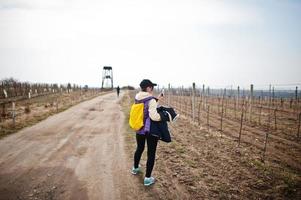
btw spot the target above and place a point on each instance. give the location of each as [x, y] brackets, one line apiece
[136, 120]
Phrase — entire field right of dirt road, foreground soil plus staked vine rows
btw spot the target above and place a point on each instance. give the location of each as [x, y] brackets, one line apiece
[218, 152]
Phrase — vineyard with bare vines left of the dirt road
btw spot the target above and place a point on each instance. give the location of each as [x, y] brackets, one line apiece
[23, 104]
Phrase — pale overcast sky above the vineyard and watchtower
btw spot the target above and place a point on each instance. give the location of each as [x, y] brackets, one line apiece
[218, 43]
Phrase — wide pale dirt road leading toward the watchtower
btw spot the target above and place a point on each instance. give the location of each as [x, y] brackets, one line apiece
[76, 154]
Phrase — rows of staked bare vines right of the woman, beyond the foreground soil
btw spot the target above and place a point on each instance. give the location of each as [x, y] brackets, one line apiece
[262, 121]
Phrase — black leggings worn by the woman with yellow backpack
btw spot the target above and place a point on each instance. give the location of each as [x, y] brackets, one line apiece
[152, 142]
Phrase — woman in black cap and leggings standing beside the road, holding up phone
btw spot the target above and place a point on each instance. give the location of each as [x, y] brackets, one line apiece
[150, 102]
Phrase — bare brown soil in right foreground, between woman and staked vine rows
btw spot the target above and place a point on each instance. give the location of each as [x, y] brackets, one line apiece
[202, 164]
